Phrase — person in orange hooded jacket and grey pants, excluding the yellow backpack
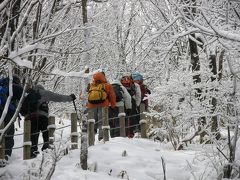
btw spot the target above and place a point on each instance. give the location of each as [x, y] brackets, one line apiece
[99, 78]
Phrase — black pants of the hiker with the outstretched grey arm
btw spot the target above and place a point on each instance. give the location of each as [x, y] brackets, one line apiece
[39, 123]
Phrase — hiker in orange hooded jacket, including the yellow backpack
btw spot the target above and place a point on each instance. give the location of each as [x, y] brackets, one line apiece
[100, 94]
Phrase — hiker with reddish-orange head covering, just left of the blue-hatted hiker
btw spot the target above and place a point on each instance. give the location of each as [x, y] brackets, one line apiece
[133, 89]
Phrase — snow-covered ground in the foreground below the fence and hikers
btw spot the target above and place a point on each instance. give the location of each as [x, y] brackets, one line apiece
[143, 160]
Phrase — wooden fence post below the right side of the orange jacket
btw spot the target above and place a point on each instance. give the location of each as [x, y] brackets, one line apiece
[105, 124]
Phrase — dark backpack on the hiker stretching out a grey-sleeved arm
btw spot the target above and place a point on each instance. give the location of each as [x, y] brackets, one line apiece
[31, 103]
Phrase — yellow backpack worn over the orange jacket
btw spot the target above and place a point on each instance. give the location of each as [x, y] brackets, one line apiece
[97, 93]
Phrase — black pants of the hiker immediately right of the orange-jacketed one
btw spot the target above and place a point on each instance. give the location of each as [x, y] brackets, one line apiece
[114, 123]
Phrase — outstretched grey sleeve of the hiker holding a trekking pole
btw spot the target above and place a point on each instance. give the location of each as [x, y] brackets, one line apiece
[51, 96]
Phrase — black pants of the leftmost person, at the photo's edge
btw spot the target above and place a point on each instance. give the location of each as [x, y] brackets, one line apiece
[9, 139]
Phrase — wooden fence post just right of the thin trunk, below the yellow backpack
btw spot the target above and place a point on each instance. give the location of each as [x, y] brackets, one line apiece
[91, 133]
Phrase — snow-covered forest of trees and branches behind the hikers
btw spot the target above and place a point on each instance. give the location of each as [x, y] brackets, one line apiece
[187, 50]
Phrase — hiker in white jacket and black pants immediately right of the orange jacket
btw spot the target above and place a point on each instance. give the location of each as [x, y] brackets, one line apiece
[123, 98]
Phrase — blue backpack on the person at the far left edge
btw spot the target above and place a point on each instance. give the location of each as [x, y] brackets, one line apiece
[4, 92]
